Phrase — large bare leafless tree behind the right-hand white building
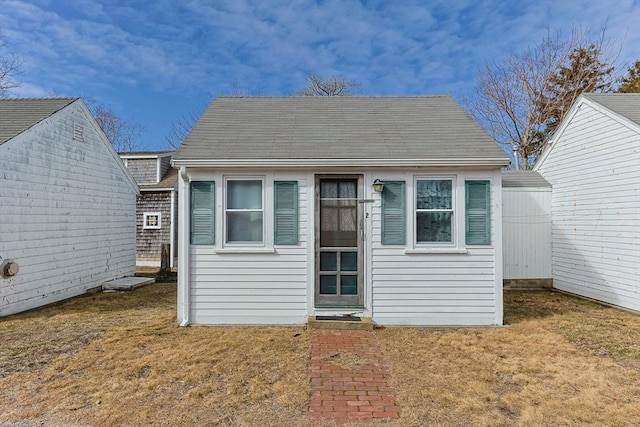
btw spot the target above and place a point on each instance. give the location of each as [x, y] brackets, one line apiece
[520, 100]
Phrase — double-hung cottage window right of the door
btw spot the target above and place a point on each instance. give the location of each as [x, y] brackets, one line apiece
[434, 203]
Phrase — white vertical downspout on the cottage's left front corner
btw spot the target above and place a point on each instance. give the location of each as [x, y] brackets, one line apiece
[183, 247]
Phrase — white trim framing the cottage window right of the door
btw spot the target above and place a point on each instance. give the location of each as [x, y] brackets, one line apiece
[456, 246]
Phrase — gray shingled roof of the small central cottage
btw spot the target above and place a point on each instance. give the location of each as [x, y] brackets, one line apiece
[305, 128]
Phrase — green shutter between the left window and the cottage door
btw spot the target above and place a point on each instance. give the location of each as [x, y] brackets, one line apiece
[286, 212]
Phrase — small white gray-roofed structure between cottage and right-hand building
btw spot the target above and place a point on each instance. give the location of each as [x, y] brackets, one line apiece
[526, 229]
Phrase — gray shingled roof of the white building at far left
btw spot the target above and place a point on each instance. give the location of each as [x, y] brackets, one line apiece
[19, 114]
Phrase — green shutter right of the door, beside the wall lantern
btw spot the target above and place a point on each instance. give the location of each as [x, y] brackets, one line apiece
[394, 213]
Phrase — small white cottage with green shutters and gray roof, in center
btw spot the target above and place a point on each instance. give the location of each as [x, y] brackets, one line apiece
[387, 208]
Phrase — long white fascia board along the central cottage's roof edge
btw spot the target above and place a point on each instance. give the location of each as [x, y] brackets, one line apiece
[306, 163]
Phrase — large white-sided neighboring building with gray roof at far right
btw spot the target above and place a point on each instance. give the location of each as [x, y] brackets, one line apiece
[593, 164]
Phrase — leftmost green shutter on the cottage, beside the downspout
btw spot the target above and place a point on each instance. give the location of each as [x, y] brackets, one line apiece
[202, 213]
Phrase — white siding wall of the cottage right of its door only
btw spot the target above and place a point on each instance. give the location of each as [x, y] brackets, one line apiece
[437, 288]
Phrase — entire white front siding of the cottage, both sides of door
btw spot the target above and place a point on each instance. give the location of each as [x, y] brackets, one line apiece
[403, 289]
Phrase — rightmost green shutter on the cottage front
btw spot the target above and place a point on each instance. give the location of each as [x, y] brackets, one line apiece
[478, 212]
